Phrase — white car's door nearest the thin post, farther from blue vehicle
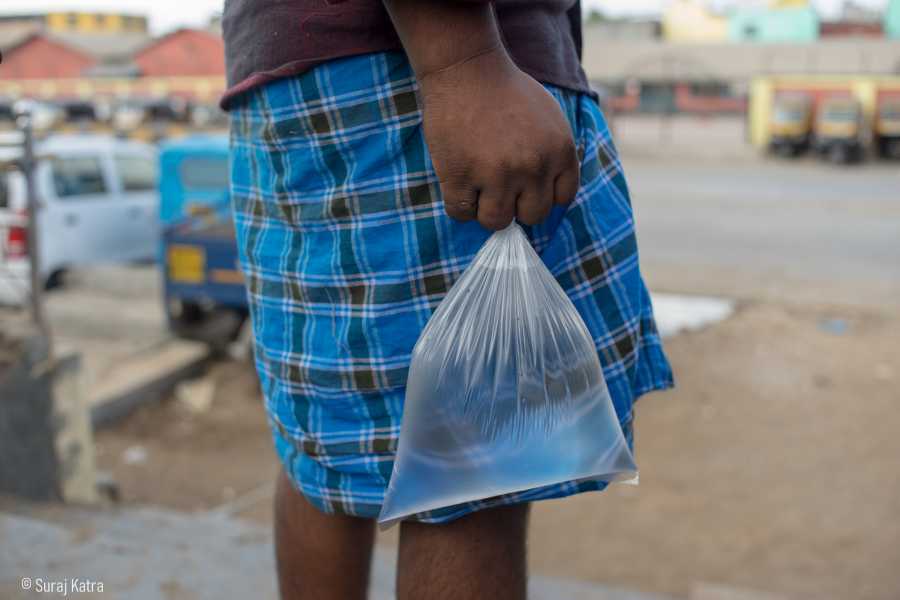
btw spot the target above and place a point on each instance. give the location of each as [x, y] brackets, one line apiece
[77, 218]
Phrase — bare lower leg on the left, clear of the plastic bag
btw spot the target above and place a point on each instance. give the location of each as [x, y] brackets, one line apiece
[319, 556]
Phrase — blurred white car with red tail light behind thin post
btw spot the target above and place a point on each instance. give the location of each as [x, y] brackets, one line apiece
[98, 202]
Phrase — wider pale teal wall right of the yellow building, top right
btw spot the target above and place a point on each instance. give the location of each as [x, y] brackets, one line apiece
[774, 25]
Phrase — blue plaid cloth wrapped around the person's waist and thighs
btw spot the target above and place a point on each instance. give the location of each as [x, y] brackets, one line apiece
[347, 252]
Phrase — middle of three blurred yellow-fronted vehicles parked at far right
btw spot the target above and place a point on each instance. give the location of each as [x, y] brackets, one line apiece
[839, 129]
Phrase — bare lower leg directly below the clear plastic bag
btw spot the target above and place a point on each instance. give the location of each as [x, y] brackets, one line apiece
[478, 557]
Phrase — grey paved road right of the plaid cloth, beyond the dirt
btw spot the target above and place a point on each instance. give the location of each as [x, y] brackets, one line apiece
[788, 231]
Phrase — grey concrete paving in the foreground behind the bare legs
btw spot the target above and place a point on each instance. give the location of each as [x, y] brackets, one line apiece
[149, 554]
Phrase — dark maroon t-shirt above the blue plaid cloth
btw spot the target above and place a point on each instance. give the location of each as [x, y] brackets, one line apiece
[269, 39]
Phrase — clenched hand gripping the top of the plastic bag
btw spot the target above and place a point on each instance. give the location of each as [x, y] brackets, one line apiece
[499, 142]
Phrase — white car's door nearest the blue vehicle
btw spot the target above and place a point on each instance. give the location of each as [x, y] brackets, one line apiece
[136, 185]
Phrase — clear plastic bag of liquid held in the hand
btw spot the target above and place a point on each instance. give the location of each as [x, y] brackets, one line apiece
[505, 391]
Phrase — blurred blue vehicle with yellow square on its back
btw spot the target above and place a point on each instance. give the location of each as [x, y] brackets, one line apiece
[205, 298]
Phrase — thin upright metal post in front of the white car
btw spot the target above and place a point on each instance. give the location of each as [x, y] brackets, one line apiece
[29, 166]
